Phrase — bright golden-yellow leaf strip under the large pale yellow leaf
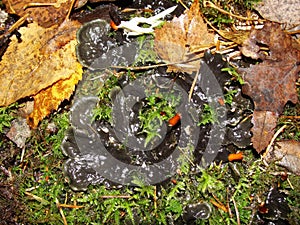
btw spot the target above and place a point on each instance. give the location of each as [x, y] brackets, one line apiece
[49, 99]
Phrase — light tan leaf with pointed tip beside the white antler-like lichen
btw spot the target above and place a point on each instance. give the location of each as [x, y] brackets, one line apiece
[182, 39]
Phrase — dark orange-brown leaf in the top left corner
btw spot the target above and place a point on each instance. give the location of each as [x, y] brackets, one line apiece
[46, 12]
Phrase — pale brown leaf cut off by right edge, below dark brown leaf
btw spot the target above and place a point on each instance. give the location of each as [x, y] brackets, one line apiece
[286, 154]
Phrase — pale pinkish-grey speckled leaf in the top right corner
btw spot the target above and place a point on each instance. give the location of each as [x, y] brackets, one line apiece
[281, 11]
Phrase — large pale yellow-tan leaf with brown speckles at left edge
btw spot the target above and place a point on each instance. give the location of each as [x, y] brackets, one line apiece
[38, 61]
